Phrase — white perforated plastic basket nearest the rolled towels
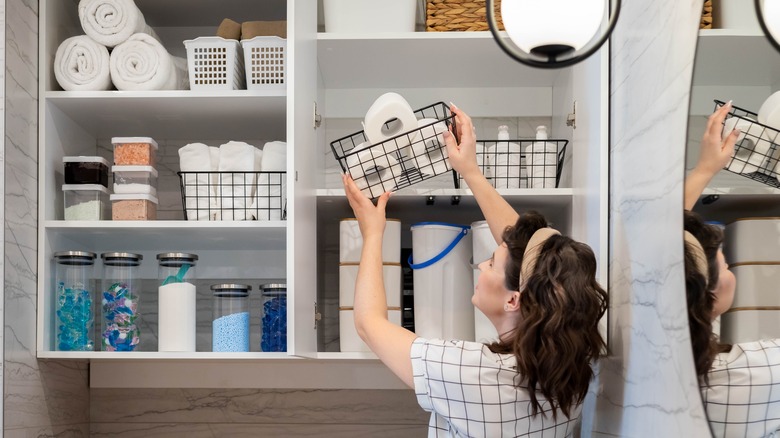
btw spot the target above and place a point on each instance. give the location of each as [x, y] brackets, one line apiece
[215, 63]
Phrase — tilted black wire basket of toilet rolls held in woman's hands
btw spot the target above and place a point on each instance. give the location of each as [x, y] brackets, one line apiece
[402, 160]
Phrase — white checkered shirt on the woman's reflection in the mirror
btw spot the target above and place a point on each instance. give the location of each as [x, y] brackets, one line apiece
[743, 396]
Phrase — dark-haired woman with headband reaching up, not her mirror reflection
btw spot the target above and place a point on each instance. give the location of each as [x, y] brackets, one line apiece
[538, 289]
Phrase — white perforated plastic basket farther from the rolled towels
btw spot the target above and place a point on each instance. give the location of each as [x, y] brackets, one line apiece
[266, 62]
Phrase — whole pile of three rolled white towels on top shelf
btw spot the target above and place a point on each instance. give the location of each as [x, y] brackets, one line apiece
[137, 61]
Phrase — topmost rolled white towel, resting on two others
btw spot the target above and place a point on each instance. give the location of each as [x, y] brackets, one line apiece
[112, 22]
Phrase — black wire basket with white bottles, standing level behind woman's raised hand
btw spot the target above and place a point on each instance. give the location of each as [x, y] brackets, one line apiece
[520, 164]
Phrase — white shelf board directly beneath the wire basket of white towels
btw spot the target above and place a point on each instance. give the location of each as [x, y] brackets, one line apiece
[193, 235]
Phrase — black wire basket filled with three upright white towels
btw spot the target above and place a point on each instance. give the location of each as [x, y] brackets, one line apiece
[235, 181]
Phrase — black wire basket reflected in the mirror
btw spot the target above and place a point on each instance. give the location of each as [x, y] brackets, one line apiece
[755, 154]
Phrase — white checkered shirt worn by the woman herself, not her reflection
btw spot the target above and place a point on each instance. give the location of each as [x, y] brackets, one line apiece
[470, 392]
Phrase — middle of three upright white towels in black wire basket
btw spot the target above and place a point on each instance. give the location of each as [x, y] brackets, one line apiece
[235, 189]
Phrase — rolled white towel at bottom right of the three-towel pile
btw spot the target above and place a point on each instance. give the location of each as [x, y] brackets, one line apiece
[142, 63]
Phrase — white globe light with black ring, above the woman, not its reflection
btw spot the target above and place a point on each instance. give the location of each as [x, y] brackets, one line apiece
[552, 33]
